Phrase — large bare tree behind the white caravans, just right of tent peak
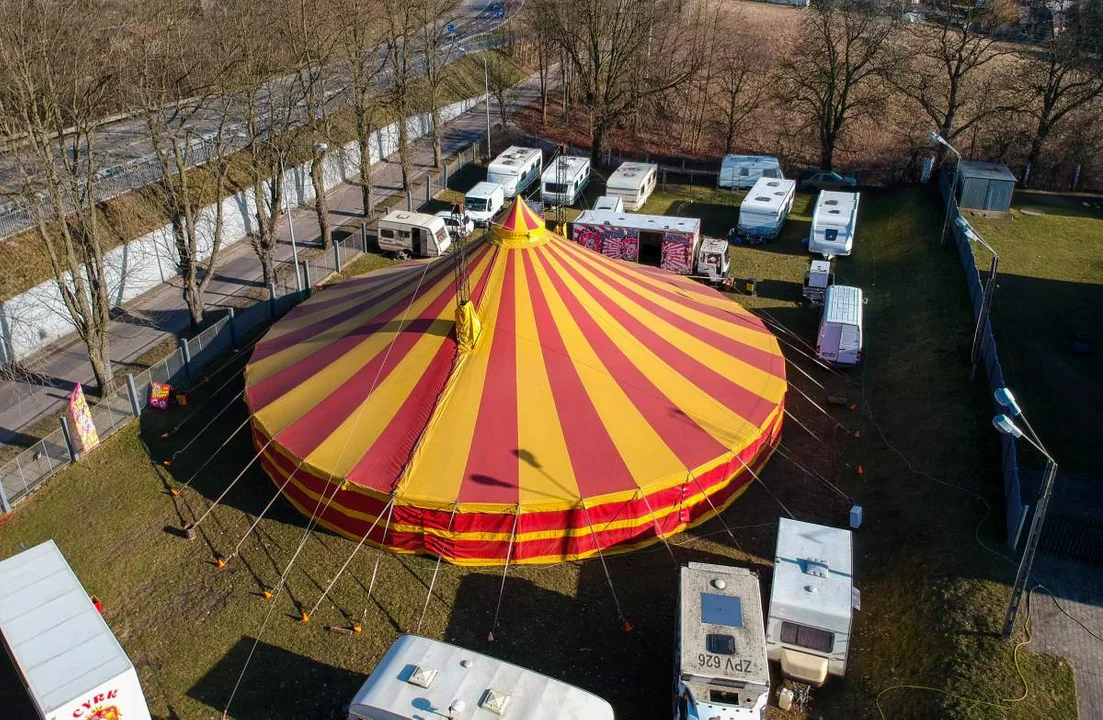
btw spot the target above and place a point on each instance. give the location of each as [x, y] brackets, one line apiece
[622, 53]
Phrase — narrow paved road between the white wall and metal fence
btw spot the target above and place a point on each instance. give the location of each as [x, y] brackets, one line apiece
[162, 315]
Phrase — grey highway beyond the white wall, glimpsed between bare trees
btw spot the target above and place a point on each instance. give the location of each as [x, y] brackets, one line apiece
[126, 144]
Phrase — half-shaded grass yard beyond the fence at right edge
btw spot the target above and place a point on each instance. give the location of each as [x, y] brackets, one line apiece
[1051, 287]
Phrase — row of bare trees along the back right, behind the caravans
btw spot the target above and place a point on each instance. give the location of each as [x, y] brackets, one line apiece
[697, 73]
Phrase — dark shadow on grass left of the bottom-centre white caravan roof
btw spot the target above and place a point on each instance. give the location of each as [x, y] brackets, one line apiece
[281, 684]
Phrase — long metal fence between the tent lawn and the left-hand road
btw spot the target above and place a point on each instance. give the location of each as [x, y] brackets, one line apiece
[23, 475]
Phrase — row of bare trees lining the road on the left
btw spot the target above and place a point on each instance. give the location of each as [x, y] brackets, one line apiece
[229, 95]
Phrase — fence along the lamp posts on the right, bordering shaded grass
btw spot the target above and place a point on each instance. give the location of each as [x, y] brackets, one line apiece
[1015, 511]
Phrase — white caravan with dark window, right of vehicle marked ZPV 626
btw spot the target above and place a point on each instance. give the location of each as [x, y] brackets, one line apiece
[812, 601]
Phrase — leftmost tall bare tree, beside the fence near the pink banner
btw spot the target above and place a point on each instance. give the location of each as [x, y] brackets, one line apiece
[58, 87]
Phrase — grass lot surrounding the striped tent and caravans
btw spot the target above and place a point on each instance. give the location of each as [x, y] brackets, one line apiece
[933, 597]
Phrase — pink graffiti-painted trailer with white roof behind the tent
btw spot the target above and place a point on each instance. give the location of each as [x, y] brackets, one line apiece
[670, 243]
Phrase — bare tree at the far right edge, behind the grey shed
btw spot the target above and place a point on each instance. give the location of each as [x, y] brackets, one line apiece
[1066, 74]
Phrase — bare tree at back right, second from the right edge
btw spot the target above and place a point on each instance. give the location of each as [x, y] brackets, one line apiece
[945, 62]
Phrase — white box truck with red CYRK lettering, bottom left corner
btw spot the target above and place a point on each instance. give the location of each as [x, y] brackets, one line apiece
[67, 657]
